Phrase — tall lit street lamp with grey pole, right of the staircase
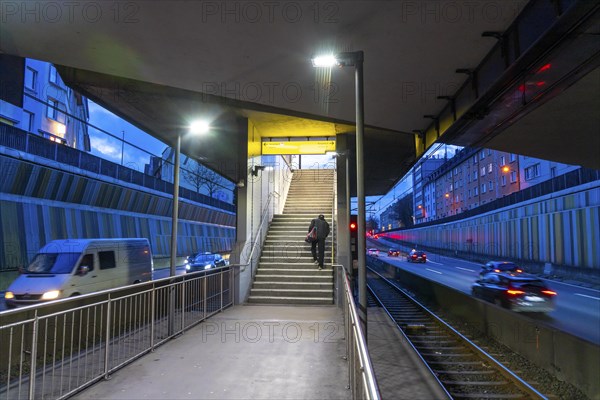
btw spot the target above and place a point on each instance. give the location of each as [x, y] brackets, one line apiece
[348, 59]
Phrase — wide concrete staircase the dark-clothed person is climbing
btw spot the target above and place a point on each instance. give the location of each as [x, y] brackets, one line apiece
[286, 273]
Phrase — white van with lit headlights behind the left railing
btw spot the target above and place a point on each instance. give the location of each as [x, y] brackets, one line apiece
[65, 268]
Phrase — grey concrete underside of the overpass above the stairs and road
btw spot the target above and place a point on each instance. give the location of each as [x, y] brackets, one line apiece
[521, 77]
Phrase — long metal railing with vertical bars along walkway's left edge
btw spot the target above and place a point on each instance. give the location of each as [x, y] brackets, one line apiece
[54, 350]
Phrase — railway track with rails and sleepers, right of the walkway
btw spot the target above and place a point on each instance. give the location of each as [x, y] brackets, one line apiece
[463, 369]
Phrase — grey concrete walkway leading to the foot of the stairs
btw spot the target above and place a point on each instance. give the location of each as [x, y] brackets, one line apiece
[246, 352]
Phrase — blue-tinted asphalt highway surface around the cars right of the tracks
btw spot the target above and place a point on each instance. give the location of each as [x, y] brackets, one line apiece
[577, 307]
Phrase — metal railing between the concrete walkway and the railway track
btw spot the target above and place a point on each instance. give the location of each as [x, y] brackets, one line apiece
[361, 376]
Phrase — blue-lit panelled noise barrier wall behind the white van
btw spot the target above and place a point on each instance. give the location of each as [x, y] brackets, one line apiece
[39, 204]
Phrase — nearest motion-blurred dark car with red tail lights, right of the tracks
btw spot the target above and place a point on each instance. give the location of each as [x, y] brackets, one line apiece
[518, 292]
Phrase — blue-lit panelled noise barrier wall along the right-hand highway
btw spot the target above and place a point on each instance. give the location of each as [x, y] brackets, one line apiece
[559, 229]
